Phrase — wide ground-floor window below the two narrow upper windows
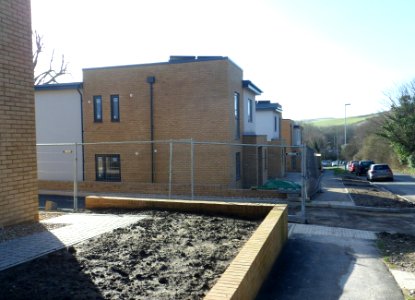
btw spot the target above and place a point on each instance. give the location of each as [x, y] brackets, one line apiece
[108, 167]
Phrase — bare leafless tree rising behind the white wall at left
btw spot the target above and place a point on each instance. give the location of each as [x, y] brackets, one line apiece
[51, 74]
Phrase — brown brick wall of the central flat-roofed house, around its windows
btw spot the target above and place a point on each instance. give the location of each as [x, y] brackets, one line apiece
[191, 101]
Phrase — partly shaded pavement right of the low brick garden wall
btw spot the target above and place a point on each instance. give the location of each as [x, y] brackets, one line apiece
[320, 262]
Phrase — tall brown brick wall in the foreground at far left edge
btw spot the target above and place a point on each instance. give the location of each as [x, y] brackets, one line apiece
[18, 175]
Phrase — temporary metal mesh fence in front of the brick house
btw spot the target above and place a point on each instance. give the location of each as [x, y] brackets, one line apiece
[185, 169]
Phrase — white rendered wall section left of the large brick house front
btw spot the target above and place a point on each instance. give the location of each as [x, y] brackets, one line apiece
[58, 120]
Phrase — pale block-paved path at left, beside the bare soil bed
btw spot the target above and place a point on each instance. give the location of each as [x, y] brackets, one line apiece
[80, 227]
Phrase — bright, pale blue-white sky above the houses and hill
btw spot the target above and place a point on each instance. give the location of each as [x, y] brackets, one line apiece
[311, 56]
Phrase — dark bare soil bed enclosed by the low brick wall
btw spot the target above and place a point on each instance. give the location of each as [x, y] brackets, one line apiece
[166, 256]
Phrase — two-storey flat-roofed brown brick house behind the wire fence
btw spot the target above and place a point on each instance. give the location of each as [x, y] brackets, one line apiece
[204, 99]
